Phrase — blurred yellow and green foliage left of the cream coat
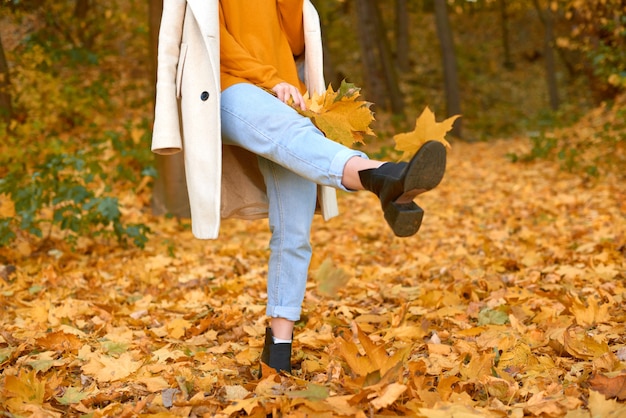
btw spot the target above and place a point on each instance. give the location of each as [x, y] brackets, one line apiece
[75, 126]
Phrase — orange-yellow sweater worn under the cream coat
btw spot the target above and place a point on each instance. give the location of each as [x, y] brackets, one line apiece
[258, 42]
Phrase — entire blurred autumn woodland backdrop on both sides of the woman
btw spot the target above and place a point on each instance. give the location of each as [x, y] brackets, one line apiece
[77, 76]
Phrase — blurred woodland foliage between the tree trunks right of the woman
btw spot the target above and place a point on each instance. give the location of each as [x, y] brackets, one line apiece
[501, 64]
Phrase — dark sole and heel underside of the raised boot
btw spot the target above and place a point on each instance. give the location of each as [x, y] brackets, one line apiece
[424, 173]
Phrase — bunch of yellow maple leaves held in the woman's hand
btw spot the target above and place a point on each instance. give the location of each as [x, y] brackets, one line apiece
[339, 114]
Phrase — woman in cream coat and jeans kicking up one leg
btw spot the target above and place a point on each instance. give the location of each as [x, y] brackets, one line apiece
[229, 69]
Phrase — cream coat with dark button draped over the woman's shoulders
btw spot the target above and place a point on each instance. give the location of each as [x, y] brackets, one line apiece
[222, 181]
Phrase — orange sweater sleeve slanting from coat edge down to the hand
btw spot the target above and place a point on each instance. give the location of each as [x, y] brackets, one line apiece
[236, 61]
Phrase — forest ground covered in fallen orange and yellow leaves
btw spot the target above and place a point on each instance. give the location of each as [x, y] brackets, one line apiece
[511, 301]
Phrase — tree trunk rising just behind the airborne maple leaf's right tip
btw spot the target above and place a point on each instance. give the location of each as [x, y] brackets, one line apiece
[444, 32]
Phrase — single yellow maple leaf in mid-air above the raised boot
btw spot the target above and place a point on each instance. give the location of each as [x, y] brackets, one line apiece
[426, 129]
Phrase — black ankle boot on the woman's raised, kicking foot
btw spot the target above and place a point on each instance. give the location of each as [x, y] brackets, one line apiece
[397, 184]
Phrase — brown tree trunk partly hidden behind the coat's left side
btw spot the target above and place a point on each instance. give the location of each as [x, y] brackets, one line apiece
[170, 187]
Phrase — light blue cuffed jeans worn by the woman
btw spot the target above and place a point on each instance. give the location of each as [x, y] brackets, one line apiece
[293, 157]
